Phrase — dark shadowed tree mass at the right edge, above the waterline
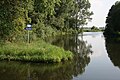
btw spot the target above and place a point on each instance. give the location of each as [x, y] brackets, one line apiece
[112, 21]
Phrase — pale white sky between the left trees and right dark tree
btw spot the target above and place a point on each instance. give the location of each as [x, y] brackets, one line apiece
[100, 9]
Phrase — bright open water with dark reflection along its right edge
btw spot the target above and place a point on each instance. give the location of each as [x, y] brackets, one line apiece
[105, 55]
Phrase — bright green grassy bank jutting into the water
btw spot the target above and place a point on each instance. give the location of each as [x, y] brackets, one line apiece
[37, 51]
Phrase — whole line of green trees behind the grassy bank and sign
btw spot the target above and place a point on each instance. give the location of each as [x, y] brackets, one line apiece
[47, 17]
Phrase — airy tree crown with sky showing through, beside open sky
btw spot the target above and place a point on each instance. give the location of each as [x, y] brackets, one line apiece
[82, 12]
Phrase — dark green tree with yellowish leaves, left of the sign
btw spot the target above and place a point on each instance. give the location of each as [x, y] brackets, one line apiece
[14, 17]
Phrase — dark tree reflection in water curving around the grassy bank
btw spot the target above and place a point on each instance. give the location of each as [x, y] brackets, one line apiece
[58, 71]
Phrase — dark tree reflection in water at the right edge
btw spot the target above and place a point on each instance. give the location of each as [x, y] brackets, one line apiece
[113, 50]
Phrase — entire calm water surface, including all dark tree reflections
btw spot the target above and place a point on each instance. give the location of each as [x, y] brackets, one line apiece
[96, 58]
